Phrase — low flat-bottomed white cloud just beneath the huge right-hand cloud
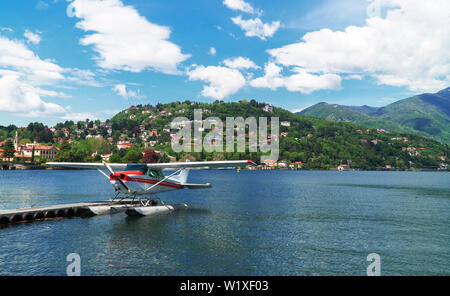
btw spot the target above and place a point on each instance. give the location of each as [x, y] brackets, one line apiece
[301, 81]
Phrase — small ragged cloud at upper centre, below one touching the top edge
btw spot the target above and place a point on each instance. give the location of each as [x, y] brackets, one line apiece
[256, 28]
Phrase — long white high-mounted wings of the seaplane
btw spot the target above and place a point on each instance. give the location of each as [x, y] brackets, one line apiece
[156, 166]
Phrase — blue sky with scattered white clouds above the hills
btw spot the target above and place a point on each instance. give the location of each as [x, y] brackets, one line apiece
[71, 60]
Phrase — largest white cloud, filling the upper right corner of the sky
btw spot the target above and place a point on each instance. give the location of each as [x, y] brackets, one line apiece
[408, 47]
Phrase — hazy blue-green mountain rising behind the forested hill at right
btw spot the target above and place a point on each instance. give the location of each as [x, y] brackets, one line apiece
[426, 115]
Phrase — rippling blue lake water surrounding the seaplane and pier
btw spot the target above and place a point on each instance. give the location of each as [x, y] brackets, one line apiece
[248, 223]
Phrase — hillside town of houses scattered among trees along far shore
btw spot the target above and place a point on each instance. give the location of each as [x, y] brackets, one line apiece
[126, 136]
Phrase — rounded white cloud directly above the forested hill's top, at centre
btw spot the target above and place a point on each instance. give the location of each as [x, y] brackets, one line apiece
[222, 81]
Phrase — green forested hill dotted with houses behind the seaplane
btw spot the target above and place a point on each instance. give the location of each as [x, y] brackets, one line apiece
[317, 143]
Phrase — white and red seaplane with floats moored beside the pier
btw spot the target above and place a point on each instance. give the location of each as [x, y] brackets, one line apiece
[138, 184]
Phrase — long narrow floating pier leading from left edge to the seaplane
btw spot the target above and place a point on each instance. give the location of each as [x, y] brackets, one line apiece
[84, 209]
